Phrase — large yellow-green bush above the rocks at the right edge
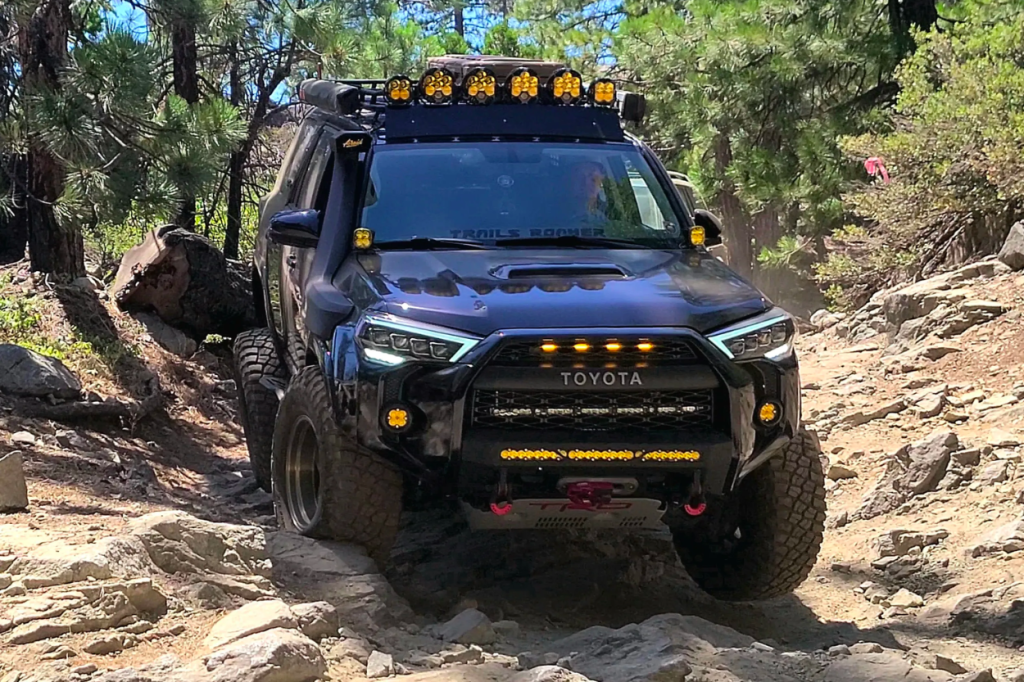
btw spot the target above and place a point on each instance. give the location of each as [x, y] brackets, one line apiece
[956, 156]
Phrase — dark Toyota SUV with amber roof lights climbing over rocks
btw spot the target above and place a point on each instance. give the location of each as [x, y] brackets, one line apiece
[481, 291]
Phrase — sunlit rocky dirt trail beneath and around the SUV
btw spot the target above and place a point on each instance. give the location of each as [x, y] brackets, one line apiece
[148, 552]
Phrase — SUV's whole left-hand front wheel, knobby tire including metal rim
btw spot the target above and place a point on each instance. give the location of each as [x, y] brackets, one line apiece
[324, 485]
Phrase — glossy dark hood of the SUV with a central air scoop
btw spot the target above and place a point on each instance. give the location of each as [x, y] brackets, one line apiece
[485, 291]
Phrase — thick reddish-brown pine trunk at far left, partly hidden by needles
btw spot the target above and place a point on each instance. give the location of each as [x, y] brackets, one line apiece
[44, 45]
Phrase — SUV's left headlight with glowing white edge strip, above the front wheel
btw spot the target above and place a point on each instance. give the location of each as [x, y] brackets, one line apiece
[392, 340]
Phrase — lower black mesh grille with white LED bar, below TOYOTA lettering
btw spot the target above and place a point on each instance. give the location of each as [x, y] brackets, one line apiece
[592, 411]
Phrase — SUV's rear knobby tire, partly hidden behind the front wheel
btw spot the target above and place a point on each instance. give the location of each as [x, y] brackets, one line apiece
[255, 358]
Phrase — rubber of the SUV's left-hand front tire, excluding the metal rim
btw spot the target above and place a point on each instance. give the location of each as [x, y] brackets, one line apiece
[361, 495]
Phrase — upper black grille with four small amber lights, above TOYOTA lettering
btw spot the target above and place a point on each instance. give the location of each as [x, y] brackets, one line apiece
[664, 352]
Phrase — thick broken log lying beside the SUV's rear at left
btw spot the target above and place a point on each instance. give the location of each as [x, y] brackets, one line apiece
[188, 282]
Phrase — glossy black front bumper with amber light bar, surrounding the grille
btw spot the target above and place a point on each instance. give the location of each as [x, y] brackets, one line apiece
[447, 443]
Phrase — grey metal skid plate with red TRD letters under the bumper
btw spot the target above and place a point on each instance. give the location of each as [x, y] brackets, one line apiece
[561, 514]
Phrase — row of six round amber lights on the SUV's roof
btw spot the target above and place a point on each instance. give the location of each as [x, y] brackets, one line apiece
[481, 87]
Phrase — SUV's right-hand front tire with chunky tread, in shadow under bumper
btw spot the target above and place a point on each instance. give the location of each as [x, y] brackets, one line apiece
[782, 508]
